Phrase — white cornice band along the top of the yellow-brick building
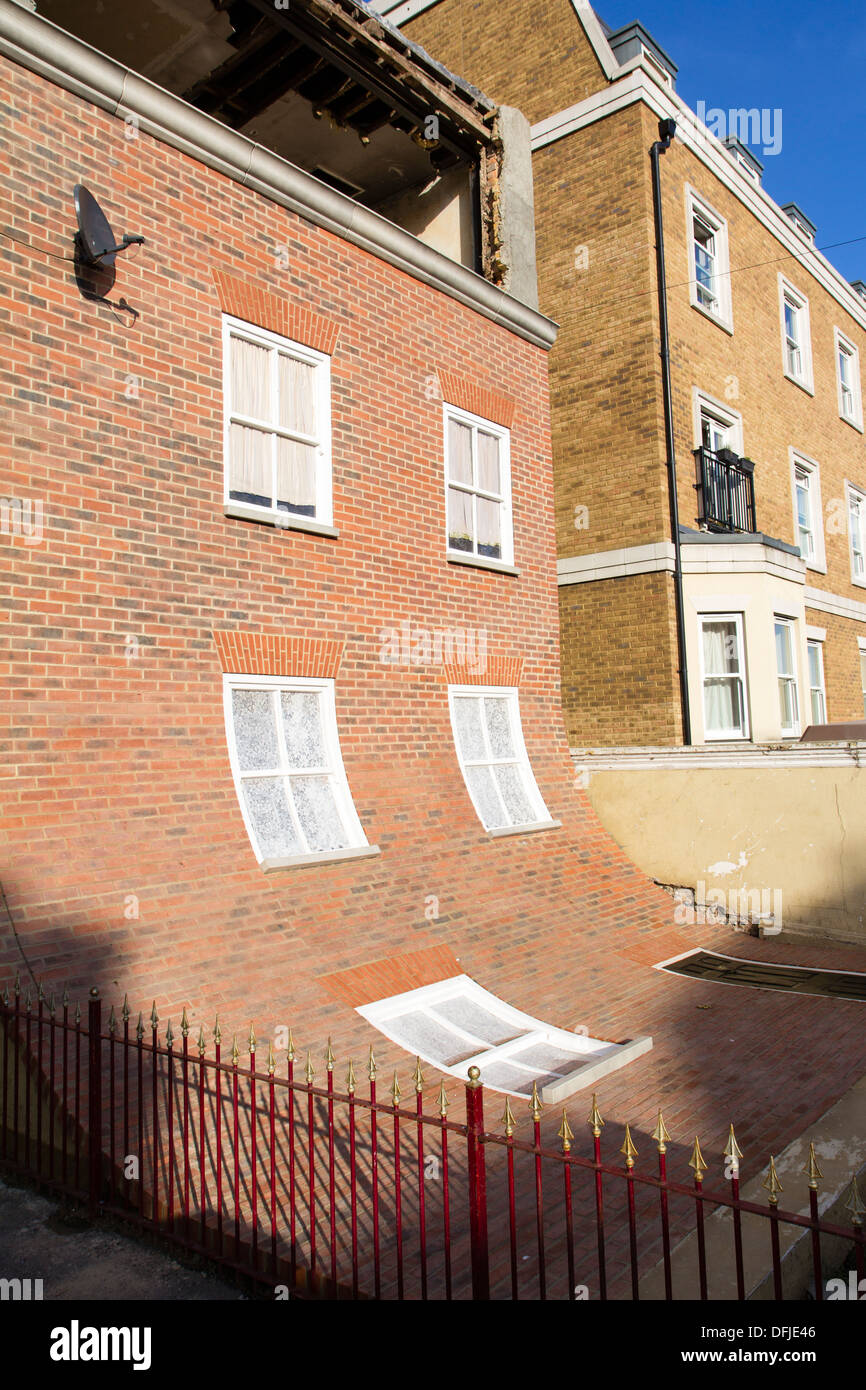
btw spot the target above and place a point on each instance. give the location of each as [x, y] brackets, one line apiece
[642, 87]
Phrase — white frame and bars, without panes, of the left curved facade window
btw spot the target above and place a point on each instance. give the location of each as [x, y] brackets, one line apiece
[336, 769]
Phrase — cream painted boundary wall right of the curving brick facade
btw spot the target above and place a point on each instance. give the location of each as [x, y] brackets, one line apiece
[796, 832]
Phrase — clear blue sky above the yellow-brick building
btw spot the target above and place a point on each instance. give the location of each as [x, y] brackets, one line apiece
[807, 59]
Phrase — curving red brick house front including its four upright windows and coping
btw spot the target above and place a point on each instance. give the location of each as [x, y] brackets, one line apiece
[286, 504]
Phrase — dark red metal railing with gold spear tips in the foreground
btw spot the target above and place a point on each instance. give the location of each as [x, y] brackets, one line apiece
[338, 1195]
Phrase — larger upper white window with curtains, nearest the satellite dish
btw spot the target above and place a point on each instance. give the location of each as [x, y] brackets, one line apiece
[277, 426]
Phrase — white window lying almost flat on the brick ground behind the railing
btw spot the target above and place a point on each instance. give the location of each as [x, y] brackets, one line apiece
[455, 1025]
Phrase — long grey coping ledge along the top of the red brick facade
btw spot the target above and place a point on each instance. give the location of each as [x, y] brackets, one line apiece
[58, 56]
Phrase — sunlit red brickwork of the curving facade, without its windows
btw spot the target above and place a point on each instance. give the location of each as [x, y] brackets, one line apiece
[119, 797]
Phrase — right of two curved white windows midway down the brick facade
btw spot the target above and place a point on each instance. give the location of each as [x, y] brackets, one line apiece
[493, 757]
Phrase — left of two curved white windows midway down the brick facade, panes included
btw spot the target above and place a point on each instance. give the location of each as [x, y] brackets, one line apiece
[288, 769]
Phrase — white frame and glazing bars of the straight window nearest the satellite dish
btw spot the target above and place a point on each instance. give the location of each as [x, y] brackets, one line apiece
[323, 519]
